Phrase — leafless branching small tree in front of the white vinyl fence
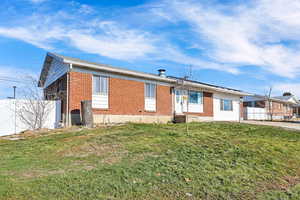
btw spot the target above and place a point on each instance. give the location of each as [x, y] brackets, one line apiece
[33, 110]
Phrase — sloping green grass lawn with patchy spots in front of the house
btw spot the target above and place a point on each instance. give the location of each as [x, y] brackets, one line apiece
[146, 161]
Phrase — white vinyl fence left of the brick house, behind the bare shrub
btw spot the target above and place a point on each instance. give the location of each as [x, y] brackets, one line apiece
[12, 123]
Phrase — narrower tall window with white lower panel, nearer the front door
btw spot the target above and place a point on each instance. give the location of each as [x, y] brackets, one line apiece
[150, 99]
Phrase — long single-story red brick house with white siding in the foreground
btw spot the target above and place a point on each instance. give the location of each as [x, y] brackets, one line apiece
[121, 95]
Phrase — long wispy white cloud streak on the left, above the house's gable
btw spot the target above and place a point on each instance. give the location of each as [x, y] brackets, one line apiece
[105, 38]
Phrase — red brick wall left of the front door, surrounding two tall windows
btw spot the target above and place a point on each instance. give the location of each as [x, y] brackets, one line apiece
[126, 97]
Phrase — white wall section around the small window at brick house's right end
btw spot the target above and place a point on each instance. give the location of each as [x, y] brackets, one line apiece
[220, 115]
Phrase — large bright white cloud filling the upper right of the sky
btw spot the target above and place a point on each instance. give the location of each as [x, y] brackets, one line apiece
[252, 34]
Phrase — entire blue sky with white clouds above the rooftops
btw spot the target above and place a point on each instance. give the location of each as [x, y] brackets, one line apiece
[247, 45]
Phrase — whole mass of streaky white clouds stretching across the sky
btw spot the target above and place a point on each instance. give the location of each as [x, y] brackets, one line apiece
[229, 38]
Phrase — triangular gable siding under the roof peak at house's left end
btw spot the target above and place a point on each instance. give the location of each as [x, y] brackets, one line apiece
[57, 69]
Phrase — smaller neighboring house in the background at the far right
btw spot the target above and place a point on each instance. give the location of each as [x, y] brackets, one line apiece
[257, 107]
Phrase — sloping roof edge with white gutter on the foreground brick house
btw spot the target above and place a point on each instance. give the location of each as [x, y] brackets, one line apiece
[119, 70]
